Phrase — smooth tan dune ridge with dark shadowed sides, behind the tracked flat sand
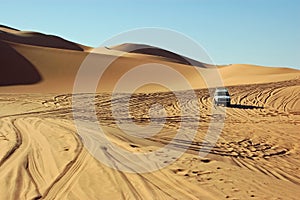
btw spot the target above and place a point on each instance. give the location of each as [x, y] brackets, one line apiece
[57, 62]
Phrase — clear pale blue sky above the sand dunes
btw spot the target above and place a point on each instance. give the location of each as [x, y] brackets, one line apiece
[264, 32]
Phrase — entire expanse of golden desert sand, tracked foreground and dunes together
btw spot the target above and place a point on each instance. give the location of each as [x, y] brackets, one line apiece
[42, 156]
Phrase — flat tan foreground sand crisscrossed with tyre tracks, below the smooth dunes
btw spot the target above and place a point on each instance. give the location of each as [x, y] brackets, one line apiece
[256, 156]
